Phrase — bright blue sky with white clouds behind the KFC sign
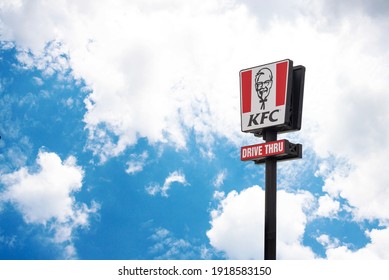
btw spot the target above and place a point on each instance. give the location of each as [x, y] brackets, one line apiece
[120, 129]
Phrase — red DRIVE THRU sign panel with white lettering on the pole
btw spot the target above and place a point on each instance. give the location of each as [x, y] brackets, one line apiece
[259, 151]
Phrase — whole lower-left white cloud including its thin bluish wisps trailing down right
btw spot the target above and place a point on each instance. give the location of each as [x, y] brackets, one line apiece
[45, 196]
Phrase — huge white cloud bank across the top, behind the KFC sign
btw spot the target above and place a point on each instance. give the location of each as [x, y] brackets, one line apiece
[158, 82]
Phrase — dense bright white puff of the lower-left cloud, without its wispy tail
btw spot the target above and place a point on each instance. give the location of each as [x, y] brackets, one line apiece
[44, 195]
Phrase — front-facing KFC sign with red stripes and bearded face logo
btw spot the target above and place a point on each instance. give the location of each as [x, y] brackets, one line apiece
[266, 96]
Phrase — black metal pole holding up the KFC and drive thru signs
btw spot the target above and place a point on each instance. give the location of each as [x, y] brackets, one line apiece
[270, 200]
